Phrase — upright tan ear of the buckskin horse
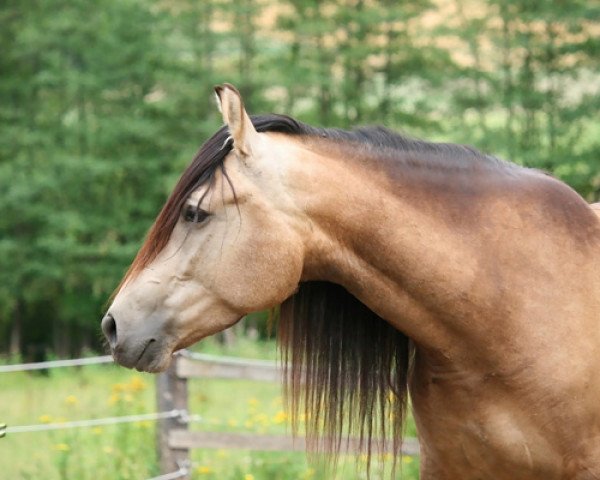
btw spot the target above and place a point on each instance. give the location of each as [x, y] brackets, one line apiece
[231, 105]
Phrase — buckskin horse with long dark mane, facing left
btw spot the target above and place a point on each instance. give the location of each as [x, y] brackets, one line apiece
[402, 268]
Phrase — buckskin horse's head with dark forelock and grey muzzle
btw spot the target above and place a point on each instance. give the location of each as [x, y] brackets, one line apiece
[227, 242]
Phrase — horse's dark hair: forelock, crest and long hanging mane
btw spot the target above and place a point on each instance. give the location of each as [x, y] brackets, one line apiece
[346, 368]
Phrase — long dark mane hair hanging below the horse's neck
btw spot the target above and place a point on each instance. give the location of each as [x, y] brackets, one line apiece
[346, 370]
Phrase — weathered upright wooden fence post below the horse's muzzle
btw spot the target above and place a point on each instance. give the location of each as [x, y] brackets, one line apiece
[171, 393]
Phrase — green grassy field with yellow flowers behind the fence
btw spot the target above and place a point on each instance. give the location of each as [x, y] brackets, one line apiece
[127, 451]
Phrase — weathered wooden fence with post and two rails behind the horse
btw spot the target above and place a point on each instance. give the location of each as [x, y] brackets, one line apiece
[174, 439]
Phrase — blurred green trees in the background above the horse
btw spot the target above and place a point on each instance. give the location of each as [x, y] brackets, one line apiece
[104, 103]
